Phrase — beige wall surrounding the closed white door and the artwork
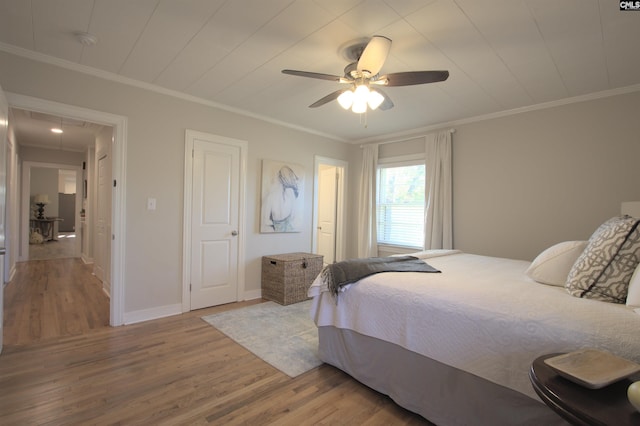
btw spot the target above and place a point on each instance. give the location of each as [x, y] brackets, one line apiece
[155, 157]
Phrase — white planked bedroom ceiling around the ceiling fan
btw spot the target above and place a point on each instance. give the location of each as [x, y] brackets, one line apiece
[501, 54]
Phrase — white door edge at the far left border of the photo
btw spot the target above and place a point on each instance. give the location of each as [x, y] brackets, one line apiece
[4, 124]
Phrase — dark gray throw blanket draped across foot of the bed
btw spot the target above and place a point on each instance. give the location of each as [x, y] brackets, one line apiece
[337, 275]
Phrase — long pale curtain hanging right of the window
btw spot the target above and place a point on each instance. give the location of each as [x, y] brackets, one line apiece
[438, 220]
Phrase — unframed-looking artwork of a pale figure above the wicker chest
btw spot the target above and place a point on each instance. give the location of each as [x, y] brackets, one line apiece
[282, 207]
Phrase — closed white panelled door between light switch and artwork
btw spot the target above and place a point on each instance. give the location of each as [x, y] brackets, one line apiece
[215, 224]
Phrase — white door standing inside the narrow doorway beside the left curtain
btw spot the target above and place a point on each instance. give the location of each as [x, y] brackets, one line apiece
[327, 208]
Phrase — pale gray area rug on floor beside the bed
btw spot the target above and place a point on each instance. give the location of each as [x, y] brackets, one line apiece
[283, 336]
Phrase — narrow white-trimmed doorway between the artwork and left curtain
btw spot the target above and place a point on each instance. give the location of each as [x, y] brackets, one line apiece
[330, 177]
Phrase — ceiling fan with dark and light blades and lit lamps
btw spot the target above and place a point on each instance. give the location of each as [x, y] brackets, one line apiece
[363, 80]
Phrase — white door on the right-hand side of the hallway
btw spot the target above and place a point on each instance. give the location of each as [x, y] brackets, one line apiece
[102, 259]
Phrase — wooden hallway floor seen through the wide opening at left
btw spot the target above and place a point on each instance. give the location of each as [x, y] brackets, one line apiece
[52, 298]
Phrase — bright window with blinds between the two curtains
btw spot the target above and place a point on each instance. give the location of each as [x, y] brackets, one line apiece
[400, 203]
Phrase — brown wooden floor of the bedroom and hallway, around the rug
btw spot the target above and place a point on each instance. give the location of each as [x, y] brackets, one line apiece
[172, 371]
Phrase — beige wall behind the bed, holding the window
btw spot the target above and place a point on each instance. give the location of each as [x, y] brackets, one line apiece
[526, 181]
